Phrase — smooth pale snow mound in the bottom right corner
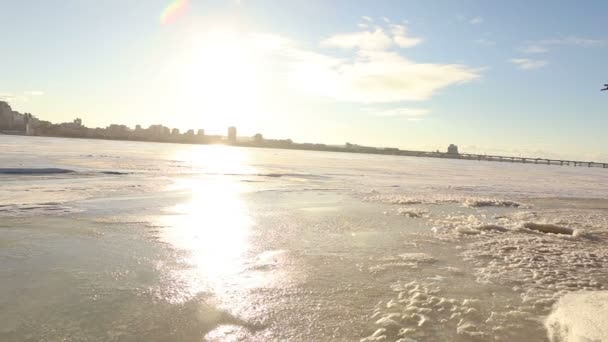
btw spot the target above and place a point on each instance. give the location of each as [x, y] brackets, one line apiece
[579, 317]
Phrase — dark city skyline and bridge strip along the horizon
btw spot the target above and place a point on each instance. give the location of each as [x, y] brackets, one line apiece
[16, 123]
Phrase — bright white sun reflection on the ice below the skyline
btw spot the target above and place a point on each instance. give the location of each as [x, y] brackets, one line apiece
[213, 226]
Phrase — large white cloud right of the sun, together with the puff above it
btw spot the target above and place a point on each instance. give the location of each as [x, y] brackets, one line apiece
[375, 73]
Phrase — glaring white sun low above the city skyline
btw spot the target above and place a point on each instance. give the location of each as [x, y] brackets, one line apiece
[220, 78]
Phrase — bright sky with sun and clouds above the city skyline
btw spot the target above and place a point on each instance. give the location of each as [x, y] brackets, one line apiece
[509, 77]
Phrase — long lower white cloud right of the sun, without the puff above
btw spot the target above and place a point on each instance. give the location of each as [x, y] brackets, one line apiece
[377, 77]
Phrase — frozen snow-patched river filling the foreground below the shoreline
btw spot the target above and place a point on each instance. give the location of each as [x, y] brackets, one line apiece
[132, 241]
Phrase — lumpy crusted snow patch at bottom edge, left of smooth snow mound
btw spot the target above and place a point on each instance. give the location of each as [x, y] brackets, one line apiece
[422, 312]
